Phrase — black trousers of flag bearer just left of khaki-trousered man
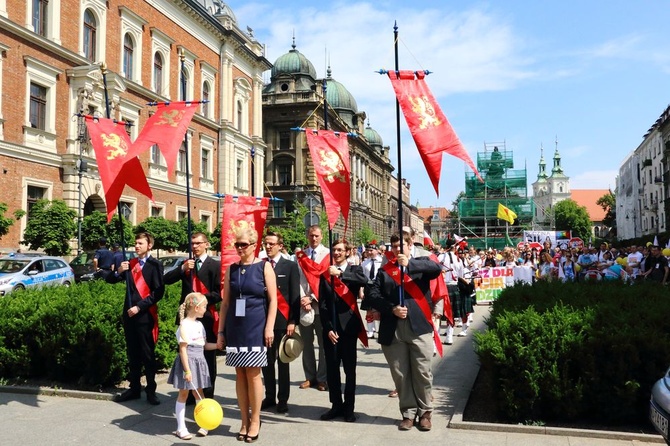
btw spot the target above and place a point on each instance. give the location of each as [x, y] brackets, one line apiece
[344, 352]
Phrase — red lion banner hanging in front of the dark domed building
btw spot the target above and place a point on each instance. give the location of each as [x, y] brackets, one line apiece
[330, 156]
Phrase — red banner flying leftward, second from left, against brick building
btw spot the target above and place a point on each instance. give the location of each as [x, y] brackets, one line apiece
[166, 128]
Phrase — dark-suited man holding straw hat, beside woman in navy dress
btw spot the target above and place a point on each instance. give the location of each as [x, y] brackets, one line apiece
[288, 313]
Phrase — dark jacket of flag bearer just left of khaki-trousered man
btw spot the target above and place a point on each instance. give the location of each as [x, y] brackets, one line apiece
[347, 320]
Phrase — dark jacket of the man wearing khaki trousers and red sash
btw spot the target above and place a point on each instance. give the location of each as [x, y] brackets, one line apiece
[384, 296]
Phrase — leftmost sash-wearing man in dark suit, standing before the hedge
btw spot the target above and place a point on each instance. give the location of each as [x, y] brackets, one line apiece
[145, 287]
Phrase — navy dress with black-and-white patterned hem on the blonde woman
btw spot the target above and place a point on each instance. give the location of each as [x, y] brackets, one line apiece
[246, 317]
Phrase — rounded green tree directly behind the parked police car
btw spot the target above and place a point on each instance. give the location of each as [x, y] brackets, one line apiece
[51, 225]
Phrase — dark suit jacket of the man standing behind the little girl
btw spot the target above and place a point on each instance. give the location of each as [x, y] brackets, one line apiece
[210, 276]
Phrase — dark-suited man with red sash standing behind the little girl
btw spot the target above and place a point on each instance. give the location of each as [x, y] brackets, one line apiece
[202, 274]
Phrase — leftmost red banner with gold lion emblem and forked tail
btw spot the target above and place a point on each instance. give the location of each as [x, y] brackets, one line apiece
[116, 167]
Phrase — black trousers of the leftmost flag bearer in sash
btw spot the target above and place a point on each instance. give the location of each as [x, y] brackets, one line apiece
[140, 348]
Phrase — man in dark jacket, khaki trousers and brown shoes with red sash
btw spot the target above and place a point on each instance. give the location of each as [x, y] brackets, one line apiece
[406, 331]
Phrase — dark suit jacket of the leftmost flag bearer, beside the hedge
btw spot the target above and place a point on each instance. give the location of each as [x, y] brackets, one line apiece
[153, 276]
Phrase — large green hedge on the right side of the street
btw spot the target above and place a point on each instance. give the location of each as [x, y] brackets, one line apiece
[566, 351]
